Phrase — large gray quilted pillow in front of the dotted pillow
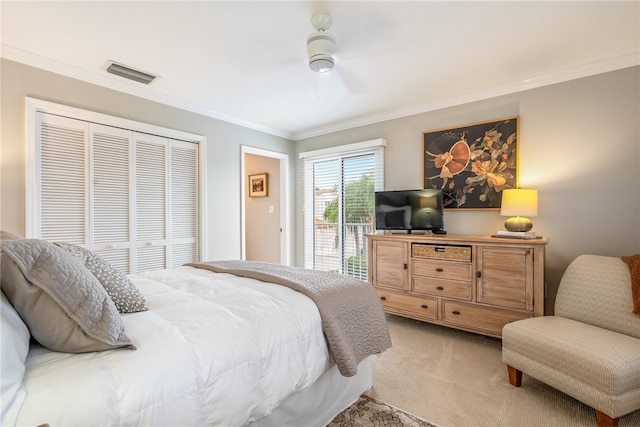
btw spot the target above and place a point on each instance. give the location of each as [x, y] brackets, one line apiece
[62, 303]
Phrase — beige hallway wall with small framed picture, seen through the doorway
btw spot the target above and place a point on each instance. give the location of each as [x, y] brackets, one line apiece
[263, 213]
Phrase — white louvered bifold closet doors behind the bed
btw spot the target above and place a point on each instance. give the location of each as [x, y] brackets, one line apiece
[130, 196]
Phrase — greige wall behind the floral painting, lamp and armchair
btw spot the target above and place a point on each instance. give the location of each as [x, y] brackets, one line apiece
[579, 146]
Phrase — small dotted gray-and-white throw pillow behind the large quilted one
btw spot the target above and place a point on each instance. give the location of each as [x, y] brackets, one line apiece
[122, 291]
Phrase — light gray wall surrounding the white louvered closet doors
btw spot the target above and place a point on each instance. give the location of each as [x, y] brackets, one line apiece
[223, 147]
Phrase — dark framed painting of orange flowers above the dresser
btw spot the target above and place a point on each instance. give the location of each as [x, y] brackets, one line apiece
[472, 164]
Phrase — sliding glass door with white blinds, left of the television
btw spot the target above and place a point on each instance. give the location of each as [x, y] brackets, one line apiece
[339, 187]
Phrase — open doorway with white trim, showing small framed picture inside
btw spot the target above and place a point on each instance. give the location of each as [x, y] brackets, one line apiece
[265, 217]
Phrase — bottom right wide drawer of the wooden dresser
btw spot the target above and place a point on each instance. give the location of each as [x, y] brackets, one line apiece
[478, 317]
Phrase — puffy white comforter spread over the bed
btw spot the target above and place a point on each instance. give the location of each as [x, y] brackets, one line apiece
[214, 349]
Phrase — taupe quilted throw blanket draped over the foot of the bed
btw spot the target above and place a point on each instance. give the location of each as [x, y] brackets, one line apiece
[353, 321]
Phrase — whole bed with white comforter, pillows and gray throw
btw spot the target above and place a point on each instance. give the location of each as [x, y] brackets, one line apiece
[202, 344]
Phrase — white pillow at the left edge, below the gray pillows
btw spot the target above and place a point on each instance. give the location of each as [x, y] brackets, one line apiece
[14, 346]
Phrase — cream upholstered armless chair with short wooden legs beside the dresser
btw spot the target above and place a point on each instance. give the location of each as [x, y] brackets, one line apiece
[590, 348]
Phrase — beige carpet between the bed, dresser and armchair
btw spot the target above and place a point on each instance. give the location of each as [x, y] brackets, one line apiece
[455, 378]
